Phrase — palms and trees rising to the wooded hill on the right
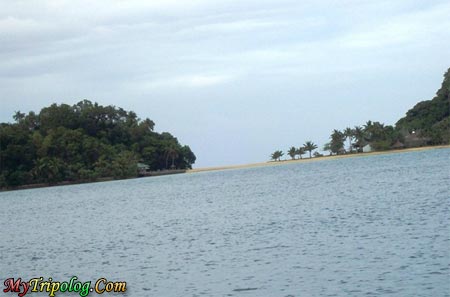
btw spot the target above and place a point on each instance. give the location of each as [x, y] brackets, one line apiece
[427, 123]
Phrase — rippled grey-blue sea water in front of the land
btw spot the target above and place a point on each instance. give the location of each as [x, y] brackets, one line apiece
[369, 226]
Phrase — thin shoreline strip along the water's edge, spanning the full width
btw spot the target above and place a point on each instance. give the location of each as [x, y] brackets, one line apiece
[232, 167]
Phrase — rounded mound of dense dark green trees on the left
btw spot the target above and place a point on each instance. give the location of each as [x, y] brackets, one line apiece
[85, 141]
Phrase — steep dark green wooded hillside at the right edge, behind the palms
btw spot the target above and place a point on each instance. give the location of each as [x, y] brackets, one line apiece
[431, 118]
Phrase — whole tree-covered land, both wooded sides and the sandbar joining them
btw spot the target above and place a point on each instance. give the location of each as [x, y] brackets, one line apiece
[87, 142]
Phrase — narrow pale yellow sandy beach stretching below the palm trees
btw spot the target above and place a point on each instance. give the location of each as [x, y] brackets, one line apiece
[316, 159]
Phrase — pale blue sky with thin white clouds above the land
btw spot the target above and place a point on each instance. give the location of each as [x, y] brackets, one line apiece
[235, 80]
